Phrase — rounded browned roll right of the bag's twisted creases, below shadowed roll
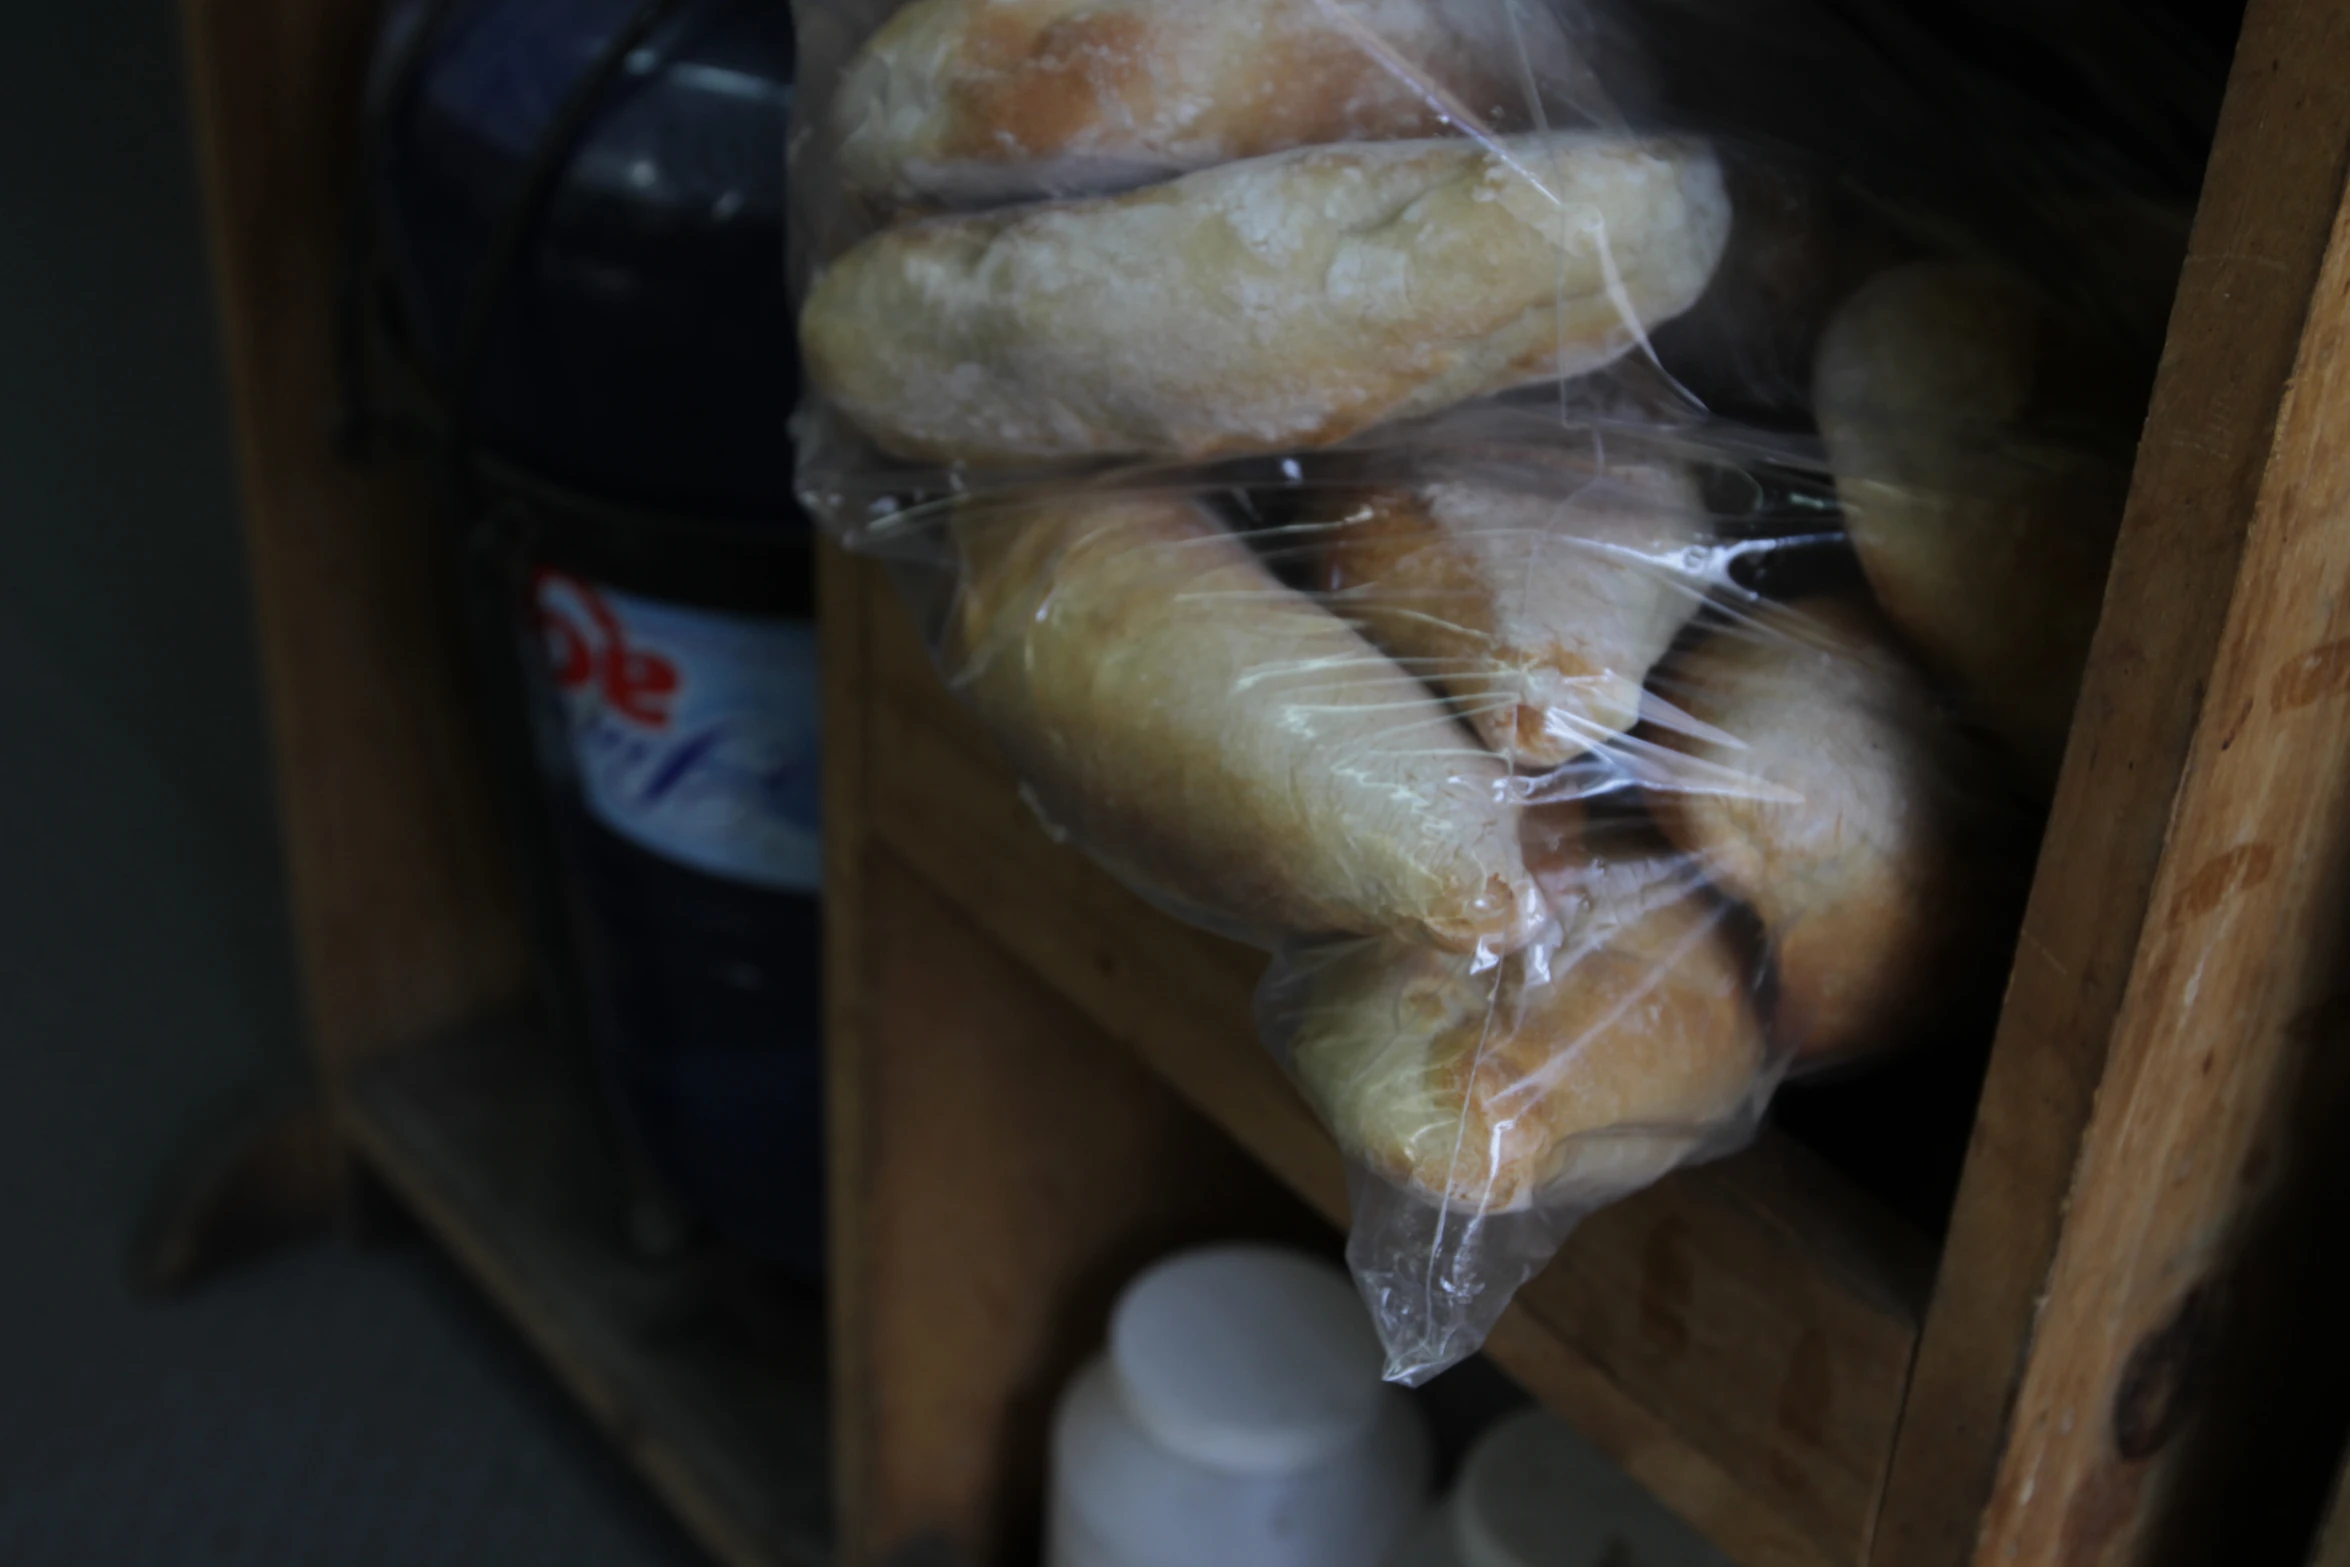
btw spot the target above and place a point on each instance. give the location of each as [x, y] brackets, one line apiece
[1848, 835]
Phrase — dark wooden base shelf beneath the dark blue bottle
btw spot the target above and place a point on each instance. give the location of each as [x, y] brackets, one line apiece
[709, 1378]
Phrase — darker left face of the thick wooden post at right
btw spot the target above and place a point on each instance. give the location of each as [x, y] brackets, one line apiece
[2271, 191]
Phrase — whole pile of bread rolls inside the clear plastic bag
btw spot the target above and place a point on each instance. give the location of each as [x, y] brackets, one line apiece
[1571, 840]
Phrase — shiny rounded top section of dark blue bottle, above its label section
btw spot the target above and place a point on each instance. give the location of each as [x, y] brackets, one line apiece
[643, 347]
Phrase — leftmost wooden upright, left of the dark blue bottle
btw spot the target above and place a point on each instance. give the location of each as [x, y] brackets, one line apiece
[401, 882]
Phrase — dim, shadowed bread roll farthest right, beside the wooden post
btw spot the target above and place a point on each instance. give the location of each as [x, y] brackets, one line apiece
[1970, 436]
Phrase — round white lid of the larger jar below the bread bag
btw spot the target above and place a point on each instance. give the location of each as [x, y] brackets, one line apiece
[1247, 1359]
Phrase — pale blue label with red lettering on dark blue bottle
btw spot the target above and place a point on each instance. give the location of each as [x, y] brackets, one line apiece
[694, 732]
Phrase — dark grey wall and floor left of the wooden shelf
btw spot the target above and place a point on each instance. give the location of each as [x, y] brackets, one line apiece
[333, 1404]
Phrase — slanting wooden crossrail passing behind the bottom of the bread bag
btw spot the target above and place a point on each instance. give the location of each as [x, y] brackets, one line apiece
[1738, 1338]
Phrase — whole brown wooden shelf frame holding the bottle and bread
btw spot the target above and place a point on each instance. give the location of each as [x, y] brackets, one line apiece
[1040, 1082]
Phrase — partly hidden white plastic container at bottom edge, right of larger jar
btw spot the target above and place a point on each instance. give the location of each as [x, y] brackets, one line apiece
[1538, 1495]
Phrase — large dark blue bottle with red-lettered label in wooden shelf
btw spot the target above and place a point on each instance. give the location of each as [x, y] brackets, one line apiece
[622, 408]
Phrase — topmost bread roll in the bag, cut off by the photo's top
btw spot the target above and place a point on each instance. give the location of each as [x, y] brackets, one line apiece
[967, 102]
